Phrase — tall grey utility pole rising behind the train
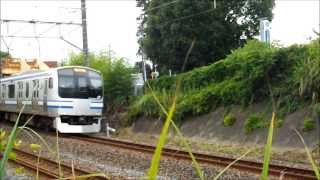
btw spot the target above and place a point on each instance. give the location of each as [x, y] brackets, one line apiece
[84, 32]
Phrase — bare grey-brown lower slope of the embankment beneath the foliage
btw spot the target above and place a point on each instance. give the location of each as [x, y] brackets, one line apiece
[210, 128]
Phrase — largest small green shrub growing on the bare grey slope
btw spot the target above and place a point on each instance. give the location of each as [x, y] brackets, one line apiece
[254, 121]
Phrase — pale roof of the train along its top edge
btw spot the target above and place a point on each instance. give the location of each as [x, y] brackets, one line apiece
[41, 72]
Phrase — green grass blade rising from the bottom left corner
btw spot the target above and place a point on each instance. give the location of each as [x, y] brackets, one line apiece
[10, 145]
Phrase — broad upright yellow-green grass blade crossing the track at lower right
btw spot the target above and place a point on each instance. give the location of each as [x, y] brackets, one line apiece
[267, 150]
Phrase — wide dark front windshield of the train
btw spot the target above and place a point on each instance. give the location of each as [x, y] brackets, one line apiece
[79, 83]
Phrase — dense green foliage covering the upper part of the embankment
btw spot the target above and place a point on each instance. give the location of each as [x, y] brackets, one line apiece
[242, 78]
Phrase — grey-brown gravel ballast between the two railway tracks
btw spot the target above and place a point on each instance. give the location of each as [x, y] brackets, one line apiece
[121, 163]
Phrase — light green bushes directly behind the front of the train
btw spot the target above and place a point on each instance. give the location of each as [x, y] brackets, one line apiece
[116, 73]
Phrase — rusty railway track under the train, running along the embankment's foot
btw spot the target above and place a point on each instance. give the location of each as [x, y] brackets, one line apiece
[243, 165]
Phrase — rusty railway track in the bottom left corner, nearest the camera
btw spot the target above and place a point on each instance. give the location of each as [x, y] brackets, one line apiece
[47, 168]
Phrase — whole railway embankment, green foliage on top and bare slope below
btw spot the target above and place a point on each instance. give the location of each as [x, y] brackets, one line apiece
[229, 103]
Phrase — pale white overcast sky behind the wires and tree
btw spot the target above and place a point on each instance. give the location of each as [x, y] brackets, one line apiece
[112, 25]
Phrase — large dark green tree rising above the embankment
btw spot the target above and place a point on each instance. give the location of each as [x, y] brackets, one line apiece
[168, 27]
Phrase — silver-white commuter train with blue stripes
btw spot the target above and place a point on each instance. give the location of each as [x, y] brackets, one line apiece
[69, 99]
